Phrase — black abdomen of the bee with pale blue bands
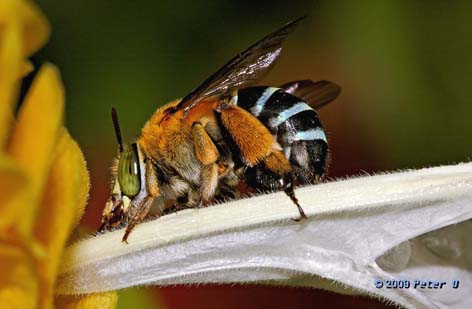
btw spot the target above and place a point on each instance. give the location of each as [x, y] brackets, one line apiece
[294, 124]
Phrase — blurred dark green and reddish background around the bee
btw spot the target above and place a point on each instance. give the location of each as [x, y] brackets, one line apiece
[405, 68]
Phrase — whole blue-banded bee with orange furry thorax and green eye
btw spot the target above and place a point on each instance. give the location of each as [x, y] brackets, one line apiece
[226, 131]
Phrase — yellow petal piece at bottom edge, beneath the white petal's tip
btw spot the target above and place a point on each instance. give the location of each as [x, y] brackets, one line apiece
[106, 300]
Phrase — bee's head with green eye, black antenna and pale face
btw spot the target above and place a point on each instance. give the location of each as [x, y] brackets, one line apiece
[127, 183]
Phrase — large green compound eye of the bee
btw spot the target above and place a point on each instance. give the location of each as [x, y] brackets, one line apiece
[128, 171]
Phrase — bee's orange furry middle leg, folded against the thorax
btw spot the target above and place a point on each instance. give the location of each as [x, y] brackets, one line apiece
[207, 154]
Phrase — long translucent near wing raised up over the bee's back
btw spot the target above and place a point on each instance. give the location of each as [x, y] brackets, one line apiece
[244, 69]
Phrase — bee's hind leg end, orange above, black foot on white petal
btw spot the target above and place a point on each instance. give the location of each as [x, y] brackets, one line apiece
[278, 164]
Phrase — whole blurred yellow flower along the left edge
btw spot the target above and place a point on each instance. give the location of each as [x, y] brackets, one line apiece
[44, 182]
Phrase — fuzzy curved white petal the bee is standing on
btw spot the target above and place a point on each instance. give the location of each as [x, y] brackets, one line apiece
[358, 230]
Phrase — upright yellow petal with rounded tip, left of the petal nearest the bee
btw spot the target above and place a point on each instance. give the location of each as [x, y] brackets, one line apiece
[32, 142]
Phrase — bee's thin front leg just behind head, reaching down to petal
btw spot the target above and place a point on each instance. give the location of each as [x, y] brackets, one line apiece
[142, 209]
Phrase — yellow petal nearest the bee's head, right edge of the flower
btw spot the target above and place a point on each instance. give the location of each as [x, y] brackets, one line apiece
[62, 206]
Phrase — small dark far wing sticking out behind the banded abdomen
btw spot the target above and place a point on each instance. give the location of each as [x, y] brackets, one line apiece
[316, 94]
